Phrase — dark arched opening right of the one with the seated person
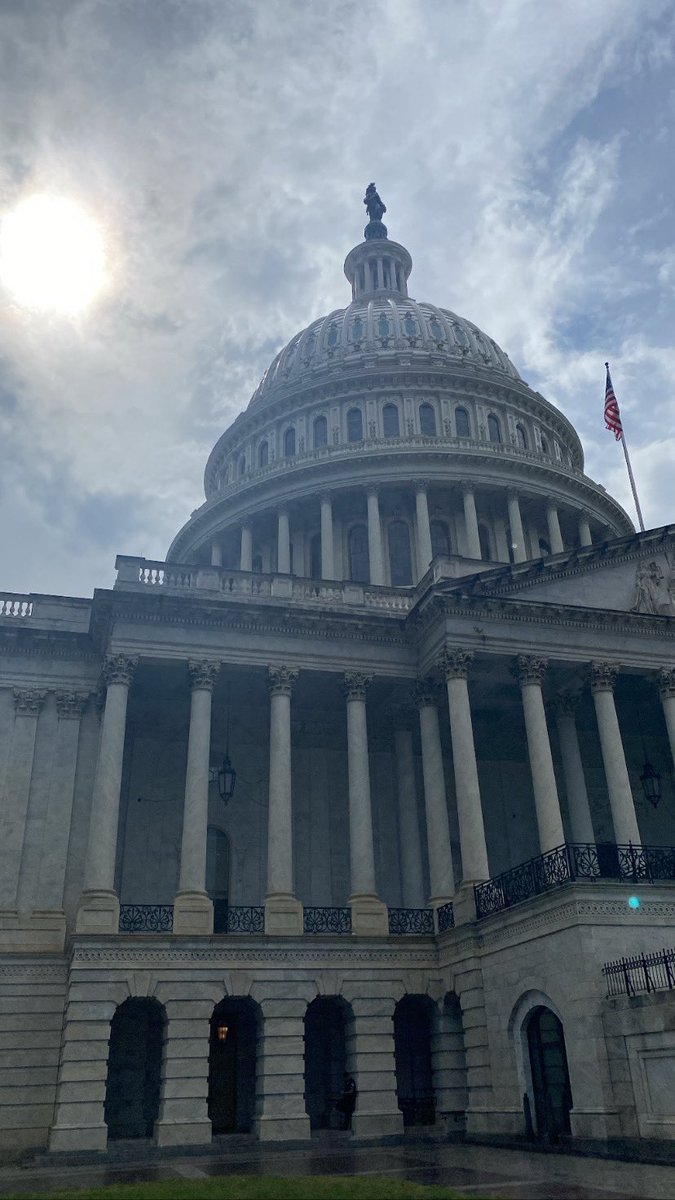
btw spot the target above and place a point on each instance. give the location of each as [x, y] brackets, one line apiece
[413, 1048]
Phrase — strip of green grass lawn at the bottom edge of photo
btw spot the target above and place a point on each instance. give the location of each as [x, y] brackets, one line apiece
[266, 1187]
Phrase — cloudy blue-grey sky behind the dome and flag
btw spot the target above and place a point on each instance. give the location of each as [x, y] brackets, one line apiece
[524, 151]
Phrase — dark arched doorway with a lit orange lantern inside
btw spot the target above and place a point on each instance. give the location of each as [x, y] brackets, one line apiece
[232, 1066]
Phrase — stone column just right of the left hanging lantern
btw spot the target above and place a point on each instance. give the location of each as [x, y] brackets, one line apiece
[284, 913]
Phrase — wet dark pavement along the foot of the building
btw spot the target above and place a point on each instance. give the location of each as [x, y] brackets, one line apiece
[486, 1172]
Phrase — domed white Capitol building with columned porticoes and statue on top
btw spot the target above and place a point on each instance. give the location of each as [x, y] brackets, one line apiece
[373, 775]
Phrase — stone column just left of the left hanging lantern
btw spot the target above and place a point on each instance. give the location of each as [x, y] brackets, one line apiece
[194, 911]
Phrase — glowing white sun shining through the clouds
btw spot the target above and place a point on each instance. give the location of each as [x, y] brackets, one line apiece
[51, 255]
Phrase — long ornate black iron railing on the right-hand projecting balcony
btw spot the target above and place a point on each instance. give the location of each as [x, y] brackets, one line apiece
[578, 861]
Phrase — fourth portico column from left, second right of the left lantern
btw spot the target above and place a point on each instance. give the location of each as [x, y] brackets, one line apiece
[369, 915]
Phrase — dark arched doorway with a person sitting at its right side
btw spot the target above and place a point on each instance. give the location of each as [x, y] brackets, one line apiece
[326, 1059]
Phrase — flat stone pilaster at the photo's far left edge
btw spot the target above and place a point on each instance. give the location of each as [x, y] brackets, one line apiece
[28, 703]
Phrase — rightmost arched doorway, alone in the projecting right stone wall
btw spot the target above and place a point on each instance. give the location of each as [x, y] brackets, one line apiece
[551, 1077]
